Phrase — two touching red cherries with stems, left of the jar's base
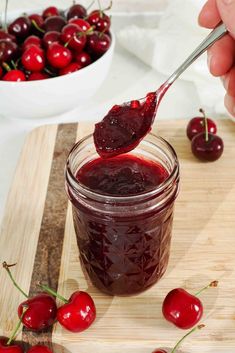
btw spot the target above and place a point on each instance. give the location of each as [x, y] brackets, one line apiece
[76, 314]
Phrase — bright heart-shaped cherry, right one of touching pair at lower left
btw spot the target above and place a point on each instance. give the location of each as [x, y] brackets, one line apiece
[78, 314]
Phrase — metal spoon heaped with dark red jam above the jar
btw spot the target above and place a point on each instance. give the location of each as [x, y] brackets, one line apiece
[125, 125]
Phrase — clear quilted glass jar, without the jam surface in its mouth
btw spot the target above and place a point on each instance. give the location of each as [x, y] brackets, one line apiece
[124, 242]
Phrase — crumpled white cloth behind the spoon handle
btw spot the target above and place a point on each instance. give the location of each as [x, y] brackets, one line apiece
[167, 46]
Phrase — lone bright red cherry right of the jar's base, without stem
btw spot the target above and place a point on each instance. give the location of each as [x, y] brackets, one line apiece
[181, 308]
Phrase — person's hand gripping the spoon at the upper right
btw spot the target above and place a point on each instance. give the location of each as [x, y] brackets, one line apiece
[221, 56]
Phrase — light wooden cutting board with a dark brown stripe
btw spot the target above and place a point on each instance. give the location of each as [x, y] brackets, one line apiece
[37, 233]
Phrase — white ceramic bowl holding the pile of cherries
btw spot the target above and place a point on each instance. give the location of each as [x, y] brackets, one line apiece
[54, 96]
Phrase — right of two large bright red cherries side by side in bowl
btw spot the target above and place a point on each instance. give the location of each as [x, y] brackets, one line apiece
[58, 56]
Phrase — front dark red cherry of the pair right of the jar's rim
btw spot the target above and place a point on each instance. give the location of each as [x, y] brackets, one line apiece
[207, 150]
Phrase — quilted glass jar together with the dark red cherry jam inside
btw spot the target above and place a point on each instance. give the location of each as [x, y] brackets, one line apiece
[123, 212]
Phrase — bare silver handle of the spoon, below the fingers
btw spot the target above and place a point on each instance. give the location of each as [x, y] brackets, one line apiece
[216, 34]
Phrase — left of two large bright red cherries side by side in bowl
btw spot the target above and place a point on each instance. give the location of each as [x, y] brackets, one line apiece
[33, 59]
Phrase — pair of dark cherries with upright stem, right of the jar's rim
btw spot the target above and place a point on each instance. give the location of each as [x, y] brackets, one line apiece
[205, 144]
